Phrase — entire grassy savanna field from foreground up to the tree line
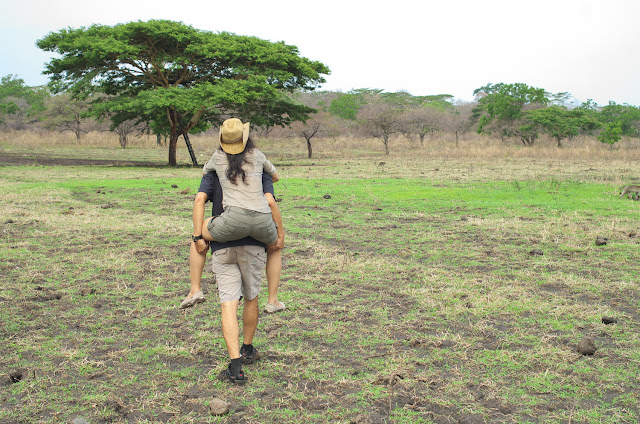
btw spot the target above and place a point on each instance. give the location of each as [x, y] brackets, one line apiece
[437, 284]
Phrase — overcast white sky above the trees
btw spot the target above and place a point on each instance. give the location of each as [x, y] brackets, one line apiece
[588, 48]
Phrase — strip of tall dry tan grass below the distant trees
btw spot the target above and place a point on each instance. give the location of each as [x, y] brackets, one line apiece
[439, 146]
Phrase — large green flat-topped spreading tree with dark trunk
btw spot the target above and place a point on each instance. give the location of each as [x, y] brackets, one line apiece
[179, 78]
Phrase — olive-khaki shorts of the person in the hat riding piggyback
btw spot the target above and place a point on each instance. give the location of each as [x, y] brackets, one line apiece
[236, 223]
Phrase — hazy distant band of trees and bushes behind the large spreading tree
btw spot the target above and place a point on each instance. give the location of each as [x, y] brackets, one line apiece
[508, 111]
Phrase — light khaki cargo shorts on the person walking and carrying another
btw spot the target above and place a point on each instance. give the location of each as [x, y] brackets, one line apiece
[239, 271]
